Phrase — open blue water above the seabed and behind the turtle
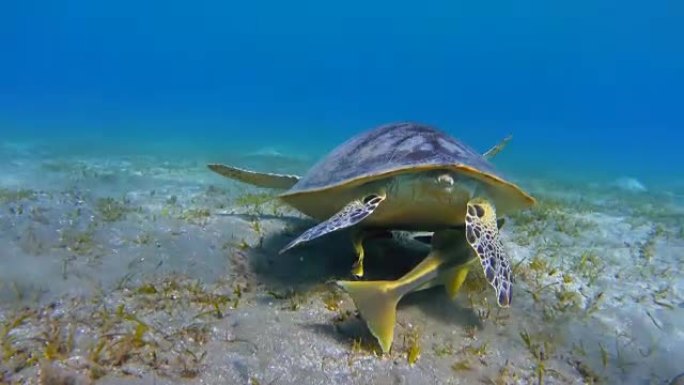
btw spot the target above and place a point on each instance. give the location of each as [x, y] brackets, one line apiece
[585, 86]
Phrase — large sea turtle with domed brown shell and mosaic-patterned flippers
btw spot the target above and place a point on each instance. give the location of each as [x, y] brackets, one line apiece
[404, 176]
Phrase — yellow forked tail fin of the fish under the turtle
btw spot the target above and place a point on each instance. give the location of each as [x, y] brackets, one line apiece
[376, 302]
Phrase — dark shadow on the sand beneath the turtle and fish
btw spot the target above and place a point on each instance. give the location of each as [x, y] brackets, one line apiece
[330, 258]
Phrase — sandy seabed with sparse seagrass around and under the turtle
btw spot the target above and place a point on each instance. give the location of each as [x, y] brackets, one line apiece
[153, 270]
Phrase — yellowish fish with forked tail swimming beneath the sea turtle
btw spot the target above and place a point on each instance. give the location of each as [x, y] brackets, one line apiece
[447, 264]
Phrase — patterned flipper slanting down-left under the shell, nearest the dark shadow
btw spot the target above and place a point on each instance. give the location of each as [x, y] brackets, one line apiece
[350, 215]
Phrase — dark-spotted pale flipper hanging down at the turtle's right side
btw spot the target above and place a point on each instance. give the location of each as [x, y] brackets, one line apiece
[483, 236]
